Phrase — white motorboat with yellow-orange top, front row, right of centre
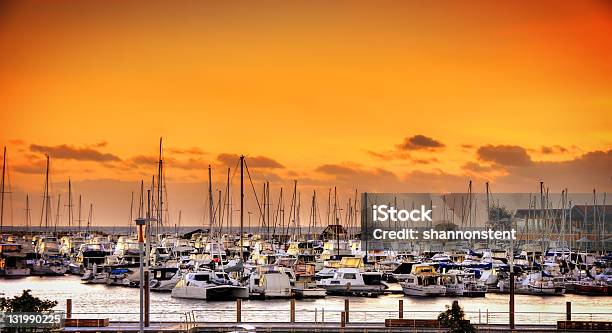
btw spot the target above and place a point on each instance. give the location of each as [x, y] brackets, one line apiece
[423, 281]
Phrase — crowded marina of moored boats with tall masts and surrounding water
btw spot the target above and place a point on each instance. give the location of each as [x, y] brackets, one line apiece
[324, 273]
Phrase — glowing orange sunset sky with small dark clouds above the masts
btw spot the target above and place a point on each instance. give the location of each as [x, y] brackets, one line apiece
[376, 96]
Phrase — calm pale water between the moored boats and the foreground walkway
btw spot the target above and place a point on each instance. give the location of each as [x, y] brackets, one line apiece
[120, 303]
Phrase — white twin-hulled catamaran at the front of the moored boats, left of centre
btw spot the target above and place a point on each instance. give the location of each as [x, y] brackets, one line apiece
[208, 285]
